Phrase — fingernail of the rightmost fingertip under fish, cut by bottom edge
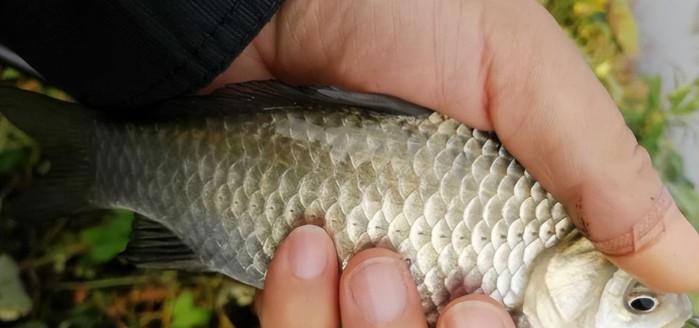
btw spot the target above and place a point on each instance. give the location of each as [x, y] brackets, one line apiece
[472, 314]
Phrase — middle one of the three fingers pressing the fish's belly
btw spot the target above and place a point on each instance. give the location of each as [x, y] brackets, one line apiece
[377, 290]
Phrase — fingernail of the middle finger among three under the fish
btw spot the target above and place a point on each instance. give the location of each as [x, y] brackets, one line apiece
[379, 290]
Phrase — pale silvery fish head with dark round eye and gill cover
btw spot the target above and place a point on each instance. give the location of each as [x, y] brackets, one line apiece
[574, 285]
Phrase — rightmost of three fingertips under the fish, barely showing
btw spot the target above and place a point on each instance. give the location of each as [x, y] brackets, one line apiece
[474, 311]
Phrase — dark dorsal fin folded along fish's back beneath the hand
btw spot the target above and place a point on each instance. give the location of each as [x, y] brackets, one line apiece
[271, 94]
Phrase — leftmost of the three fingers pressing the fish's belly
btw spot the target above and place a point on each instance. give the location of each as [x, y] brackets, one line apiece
[301, 284]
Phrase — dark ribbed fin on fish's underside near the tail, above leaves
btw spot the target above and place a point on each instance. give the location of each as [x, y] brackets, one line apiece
[154, 246]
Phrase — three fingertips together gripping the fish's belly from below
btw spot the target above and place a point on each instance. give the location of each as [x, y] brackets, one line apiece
[303, 289]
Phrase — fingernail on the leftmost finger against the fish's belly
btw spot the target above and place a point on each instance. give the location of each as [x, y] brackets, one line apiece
[307, 252]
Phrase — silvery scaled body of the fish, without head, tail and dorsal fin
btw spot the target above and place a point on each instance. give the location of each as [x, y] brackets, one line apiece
[451, 200]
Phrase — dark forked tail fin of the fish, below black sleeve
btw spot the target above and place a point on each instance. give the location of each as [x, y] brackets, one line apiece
[63, 131]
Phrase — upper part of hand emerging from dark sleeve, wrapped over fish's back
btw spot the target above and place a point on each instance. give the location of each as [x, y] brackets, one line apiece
[496, 65]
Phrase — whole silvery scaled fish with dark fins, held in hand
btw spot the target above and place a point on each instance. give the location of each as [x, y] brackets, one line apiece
[218, 181]
